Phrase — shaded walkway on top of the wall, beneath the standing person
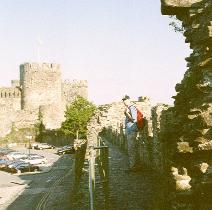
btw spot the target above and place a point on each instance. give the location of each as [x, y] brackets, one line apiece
[136, 191]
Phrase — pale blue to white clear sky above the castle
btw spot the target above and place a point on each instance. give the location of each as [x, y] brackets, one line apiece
[119, 46]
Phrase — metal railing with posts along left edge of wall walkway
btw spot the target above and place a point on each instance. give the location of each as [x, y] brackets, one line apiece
[99, 155]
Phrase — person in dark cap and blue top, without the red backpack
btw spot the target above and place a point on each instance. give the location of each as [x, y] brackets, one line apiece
[131, 131]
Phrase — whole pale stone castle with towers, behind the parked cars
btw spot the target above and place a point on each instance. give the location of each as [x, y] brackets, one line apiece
[40, 89]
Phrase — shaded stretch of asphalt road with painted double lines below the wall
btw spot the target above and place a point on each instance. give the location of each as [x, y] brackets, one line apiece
[48, 191]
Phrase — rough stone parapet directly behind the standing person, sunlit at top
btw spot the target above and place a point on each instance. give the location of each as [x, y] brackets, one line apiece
[109, 121]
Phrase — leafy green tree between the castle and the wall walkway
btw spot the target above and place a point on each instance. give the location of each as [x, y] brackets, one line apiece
[77, 116]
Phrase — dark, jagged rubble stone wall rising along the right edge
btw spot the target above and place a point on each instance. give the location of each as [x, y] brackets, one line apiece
[191, 143]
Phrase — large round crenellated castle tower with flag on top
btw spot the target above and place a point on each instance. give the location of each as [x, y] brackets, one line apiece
[40, 84]
